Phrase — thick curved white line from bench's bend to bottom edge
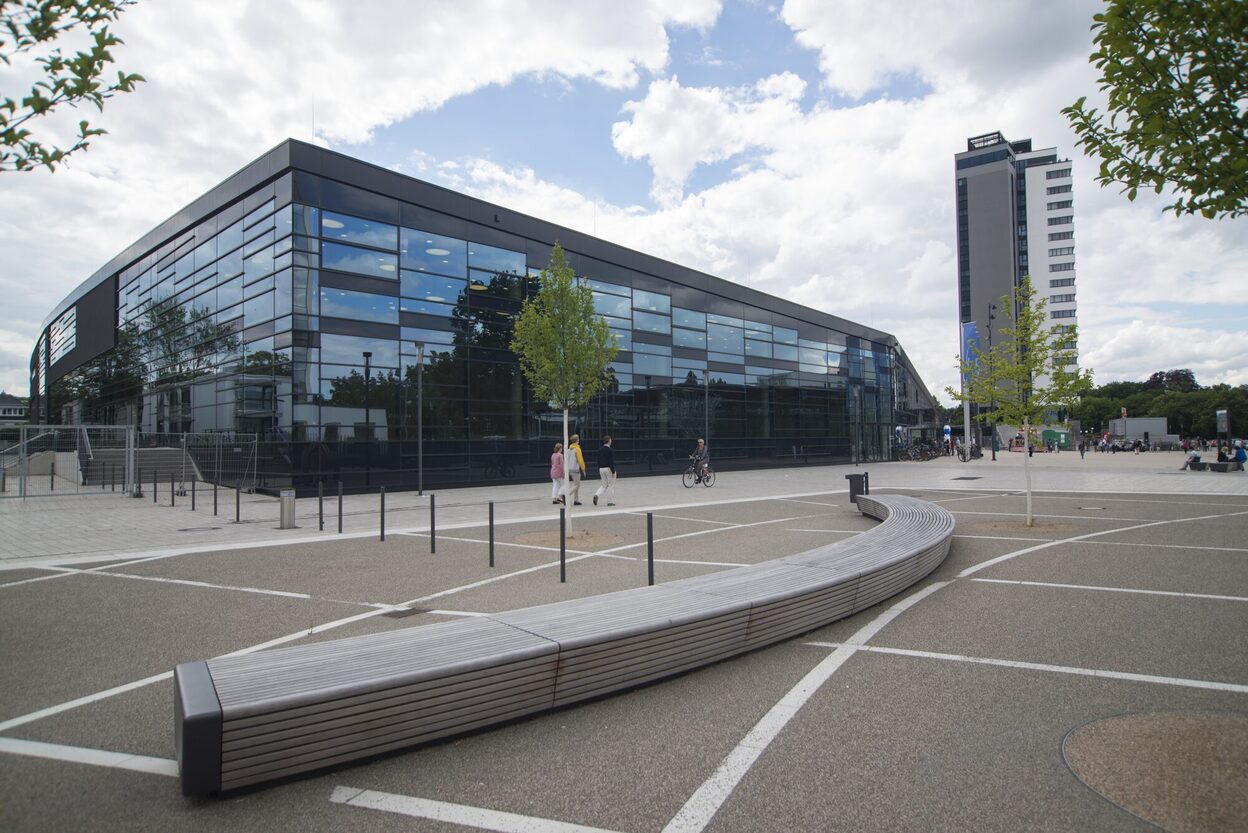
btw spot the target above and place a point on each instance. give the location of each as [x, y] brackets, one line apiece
[706, 802]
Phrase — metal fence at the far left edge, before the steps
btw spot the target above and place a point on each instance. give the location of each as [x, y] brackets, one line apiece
[49, 460]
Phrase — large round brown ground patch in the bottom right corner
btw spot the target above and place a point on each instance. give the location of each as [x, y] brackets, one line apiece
[1182, 771]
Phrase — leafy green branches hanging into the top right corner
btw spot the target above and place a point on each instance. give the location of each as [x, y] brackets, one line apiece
[1177, 77]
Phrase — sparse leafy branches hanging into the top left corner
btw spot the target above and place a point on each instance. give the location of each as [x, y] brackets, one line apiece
[27, 27]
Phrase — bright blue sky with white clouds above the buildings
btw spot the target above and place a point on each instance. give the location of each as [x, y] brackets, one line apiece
[804, 149]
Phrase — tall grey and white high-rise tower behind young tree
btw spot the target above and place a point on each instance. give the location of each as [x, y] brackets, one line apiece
[1015, 218]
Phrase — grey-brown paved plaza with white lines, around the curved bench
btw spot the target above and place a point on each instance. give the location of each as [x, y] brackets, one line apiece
[1086, 674]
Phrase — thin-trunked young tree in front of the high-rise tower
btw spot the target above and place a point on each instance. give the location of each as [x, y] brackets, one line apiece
[1025, 375]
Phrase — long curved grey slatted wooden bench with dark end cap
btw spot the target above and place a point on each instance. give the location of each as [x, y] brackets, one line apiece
[248, 720]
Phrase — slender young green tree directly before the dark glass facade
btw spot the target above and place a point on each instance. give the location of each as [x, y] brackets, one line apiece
[563, 347]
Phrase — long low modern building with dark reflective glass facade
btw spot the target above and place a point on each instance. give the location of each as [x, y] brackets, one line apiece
[325, 308]
